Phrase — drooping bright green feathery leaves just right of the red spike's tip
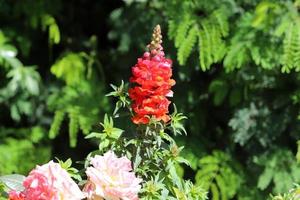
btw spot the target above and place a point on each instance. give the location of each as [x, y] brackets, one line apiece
[209, 32]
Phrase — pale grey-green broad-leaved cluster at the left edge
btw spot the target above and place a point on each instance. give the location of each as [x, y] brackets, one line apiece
[23, 82]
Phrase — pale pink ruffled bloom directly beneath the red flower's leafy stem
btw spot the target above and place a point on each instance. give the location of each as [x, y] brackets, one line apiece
[111, 178]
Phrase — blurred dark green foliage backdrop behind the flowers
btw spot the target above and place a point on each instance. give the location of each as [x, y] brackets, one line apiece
[236, 64]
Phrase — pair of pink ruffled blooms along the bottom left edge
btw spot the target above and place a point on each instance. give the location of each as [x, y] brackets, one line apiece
[109, 177]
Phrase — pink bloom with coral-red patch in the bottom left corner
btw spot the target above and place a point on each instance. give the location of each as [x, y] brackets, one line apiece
[48, 182]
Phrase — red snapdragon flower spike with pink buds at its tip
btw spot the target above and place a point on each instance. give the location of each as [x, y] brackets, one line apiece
[152, 78]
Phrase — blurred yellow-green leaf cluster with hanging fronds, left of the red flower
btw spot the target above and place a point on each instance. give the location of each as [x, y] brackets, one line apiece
[83, 113]
